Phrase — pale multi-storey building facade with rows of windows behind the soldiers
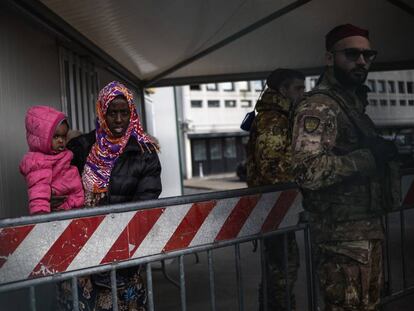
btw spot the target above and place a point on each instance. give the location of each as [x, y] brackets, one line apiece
[213, 143]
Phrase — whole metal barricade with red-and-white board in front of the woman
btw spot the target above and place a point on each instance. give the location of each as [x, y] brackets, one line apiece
[65, 246]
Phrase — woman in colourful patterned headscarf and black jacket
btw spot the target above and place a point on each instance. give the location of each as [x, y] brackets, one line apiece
[118, 163]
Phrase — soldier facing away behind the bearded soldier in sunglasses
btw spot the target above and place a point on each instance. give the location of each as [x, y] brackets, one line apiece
[269, 162]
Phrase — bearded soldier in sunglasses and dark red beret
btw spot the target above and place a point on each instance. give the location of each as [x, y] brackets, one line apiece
[344, 169]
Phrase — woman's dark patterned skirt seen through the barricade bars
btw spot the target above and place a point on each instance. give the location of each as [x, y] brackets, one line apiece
[95, 294]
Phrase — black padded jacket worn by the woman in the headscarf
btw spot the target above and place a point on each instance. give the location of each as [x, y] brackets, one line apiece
[135, 176]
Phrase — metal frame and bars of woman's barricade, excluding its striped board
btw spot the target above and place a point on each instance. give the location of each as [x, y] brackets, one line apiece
[148, 261]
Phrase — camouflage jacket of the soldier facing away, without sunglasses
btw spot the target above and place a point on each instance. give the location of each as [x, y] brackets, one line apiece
[268, 149]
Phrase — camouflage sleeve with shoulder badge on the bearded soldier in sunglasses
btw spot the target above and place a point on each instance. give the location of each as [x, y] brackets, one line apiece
[314, 135]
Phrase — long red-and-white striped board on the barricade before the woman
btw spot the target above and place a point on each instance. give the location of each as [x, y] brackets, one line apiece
[32, 251]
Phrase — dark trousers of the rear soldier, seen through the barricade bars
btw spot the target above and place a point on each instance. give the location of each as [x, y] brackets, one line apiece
[276, 272]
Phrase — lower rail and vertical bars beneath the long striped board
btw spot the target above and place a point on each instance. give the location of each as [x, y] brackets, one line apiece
[148, 261]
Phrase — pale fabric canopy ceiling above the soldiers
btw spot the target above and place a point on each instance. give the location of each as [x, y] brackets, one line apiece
[212, 40]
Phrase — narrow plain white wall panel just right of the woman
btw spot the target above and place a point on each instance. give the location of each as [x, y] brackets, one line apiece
[162, 123]
